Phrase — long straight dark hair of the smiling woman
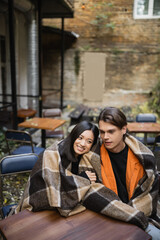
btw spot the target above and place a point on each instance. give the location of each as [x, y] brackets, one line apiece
[66, 146]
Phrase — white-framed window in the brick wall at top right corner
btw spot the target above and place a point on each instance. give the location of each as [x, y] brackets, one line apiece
[144, 9]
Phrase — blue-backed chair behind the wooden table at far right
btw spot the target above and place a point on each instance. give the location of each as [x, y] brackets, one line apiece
[146, 117]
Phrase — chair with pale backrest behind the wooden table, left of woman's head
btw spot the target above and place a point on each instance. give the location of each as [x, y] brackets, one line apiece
[53, 113]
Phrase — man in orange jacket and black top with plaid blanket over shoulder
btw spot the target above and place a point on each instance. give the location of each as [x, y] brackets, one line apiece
[128, 168]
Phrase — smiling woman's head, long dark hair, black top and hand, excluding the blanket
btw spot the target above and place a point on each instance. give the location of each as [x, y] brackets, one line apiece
[83, 136]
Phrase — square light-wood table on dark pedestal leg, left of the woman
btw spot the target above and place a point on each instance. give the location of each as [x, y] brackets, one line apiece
[44, 124]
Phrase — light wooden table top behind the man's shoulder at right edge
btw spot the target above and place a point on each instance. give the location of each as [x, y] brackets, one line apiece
[147, 127]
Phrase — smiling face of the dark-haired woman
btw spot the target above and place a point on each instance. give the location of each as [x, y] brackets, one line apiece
[83, 143]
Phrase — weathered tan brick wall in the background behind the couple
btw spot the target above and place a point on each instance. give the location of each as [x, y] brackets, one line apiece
[131, 48]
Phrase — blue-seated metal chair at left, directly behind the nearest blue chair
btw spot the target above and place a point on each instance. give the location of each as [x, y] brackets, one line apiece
[25, 139]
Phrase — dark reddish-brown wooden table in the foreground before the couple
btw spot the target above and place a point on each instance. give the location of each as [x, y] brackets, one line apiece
[49, 225]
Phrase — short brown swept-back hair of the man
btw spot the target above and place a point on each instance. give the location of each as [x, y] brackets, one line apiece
[113, 116]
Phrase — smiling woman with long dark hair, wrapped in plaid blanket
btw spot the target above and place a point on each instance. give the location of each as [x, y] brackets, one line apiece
[55, 178]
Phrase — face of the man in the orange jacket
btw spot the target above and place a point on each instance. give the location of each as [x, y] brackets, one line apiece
[112, 136]
